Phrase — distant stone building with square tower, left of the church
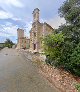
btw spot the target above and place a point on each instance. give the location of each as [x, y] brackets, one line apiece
[23, 42]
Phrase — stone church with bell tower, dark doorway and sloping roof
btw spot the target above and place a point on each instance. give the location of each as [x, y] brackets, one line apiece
[38, 31]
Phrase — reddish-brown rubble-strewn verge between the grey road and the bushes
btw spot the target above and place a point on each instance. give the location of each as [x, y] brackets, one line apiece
[60, 78]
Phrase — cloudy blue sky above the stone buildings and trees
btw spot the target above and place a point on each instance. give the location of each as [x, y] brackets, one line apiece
[16, 14]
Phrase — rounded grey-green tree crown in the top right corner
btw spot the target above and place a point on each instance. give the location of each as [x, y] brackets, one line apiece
[70, 10]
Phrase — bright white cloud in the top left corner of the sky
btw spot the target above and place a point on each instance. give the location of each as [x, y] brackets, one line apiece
[15, 3]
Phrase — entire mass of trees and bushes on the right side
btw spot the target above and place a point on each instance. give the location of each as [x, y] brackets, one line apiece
[63, 47]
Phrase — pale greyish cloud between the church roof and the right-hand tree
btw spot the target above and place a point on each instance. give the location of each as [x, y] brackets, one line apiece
[56, 22]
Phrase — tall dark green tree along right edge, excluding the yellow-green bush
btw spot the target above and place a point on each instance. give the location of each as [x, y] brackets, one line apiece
[70, 10]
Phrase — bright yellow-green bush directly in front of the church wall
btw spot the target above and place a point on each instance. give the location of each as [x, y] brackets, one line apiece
[52, 47]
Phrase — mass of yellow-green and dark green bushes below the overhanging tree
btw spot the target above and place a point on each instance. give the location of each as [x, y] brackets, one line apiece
[62, 54]
